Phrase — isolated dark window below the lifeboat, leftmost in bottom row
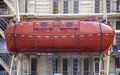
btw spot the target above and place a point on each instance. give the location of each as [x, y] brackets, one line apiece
[33, 66]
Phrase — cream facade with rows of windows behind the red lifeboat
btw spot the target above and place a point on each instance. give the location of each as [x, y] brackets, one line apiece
[64, 64]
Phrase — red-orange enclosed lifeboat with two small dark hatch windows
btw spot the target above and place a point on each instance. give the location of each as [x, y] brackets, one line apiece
[65, 36]
